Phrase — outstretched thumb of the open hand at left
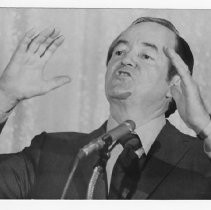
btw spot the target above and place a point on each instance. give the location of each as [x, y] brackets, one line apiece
[56, 82]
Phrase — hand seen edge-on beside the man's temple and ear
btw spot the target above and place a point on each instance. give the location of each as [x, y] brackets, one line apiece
[186, 93]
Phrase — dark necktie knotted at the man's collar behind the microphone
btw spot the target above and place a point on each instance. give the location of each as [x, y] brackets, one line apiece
[127, 169]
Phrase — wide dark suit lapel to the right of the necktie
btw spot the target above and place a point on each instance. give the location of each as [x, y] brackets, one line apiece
[164, 155]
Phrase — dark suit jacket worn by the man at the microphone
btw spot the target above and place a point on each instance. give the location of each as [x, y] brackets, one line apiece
[176, 168]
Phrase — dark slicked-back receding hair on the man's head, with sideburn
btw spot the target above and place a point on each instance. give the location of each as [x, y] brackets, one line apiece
[182, 48]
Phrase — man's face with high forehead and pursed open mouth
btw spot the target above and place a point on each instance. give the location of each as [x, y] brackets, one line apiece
[138, 68]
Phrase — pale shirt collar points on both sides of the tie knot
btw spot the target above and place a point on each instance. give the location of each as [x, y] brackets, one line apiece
[147, 132]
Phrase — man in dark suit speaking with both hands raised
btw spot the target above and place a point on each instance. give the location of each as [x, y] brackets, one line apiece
[144, 75]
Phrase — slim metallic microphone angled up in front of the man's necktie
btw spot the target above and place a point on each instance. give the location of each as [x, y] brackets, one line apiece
[107, 138]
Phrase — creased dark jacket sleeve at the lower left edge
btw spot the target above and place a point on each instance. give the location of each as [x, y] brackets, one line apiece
[18, 171]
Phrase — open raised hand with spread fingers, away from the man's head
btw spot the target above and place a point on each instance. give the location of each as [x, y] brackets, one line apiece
[23, 77]
